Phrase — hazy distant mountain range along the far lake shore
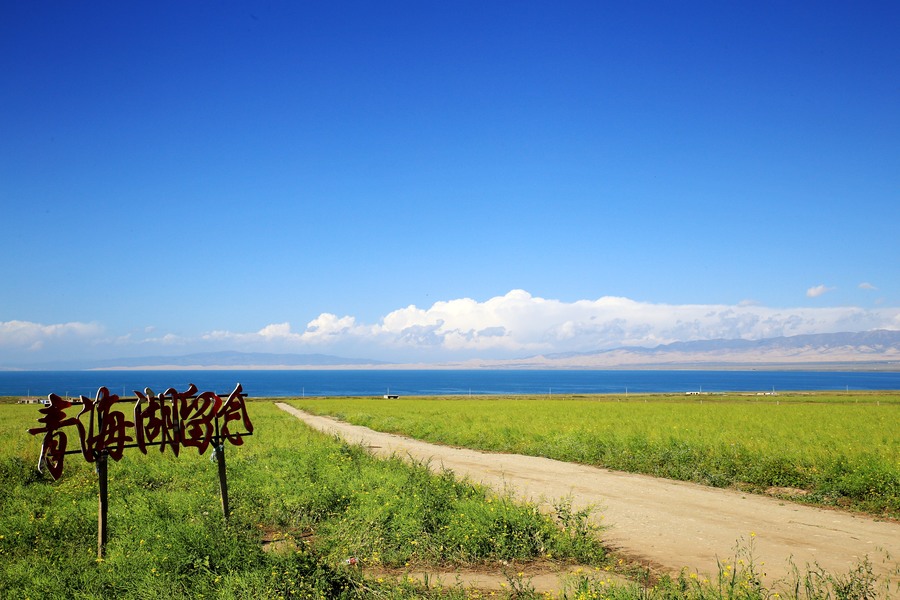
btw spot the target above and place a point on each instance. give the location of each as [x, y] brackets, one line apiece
[878, 349]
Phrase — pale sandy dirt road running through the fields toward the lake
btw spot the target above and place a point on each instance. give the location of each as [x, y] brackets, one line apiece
[669, 524]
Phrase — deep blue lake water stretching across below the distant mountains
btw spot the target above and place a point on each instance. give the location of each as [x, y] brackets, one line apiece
[440, 382]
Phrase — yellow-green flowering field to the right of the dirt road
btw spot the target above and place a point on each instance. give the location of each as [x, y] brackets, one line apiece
[833, 449]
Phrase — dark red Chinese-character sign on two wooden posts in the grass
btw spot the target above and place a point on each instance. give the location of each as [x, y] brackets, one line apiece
[172, 420]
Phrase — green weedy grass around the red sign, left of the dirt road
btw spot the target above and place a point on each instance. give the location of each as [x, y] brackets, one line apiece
[302, 504]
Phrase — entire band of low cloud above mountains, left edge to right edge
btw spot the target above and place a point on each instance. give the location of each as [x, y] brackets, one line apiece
[514, 325]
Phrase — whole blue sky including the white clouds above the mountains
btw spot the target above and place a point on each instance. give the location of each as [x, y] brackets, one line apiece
[422, 181]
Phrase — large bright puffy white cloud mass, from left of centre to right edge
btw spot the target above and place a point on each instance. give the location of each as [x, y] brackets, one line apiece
[518, 324]
